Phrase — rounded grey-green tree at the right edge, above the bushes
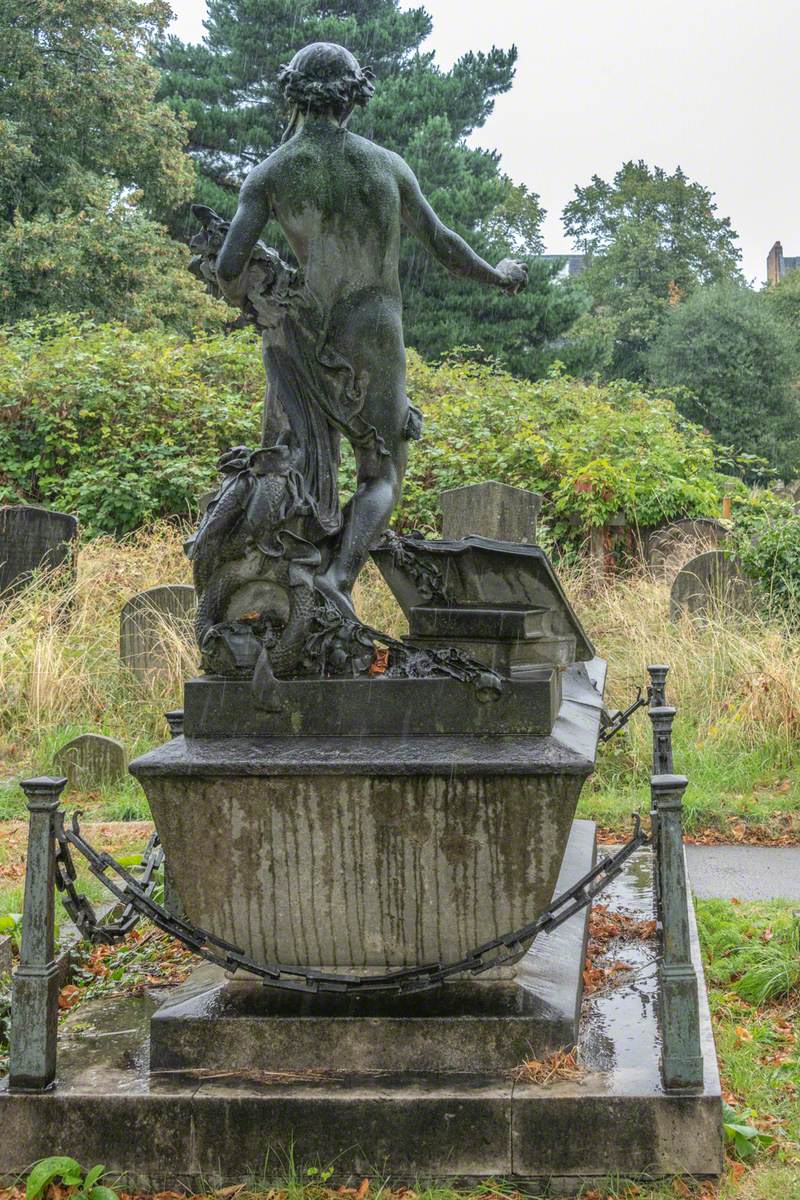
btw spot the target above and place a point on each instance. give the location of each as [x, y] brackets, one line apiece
[737, 362]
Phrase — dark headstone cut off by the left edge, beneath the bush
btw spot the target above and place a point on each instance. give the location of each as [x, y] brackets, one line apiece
[33, 539]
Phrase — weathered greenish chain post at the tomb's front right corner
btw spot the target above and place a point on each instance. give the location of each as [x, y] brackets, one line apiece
[682, 1058]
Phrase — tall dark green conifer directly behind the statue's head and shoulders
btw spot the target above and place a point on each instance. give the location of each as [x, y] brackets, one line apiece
[228, 89]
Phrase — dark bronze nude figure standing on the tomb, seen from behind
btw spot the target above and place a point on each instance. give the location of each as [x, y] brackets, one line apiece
[342, 202]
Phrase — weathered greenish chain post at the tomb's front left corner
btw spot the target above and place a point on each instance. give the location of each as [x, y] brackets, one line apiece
[35, 995]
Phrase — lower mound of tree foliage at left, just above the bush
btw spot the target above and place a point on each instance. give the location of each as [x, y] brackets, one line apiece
[105, 261]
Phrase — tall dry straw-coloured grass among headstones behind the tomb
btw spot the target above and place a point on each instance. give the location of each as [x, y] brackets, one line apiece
[735, 679]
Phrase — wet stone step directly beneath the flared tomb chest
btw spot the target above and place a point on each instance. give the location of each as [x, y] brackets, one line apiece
[467, 1025]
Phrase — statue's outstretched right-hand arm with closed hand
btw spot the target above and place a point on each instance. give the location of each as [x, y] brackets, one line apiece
[446, 245]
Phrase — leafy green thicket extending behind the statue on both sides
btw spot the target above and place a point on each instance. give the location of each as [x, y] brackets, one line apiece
[123, 428]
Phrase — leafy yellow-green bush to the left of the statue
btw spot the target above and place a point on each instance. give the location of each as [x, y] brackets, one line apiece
[117, 427]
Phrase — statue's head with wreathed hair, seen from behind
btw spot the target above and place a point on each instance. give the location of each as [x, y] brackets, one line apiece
[326, 79]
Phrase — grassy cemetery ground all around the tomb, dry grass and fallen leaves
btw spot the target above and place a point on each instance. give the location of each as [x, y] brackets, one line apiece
[737, 687]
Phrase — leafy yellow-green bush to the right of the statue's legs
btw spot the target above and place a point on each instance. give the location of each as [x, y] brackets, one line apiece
[592, 451]
